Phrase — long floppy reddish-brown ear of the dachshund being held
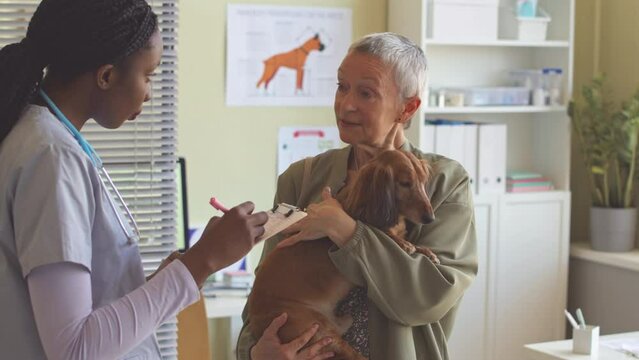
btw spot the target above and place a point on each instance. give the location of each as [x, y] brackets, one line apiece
[372, 198]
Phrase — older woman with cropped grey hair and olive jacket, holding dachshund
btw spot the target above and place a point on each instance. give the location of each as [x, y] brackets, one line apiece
[407, 311]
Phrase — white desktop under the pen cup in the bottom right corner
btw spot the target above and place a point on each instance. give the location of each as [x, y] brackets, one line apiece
[562, 350]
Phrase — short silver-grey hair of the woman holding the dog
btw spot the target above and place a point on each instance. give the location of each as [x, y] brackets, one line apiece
[406, 59]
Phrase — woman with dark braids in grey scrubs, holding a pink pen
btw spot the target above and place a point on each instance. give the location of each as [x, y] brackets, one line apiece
[71, 280]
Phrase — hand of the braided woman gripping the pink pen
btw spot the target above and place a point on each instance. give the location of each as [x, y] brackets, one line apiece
[224, 241]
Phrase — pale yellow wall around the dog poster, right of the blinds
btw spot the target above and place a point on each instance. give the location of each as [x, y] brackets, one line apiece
[231, 151]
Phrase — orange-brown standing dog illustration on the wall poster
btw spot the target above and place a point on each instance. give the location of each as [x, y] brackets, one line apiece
[294, 59]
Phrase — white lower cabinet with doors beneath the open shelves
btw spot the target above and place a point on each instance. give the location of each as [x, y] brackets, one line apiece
[520, 291]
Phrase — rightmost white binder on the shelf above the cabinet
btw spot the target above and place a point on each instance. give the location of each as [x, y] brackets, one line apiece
[491, 164]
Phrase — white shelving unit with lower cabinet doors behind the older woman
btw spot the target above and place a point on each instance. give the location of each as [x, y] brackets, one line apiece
[520, 293]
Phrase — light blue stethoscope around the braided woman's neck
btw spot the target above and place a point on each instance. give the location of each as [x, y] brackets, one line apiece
[97, 162]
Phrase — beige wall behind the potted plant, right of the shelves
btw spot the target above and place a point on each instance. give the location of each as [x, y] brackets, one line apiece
[606, 40]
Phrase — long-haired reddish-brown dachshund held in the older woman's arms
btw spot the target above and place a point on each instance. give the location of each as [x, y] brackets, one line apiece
[302, 281]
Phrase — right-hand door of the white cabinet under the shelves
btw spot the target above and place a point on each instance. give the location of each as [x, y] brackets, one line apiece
[531, 272]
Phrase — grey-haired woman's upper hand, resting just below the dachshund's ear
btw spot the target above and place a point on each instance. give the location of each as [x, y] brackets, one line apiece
[325, 219]
